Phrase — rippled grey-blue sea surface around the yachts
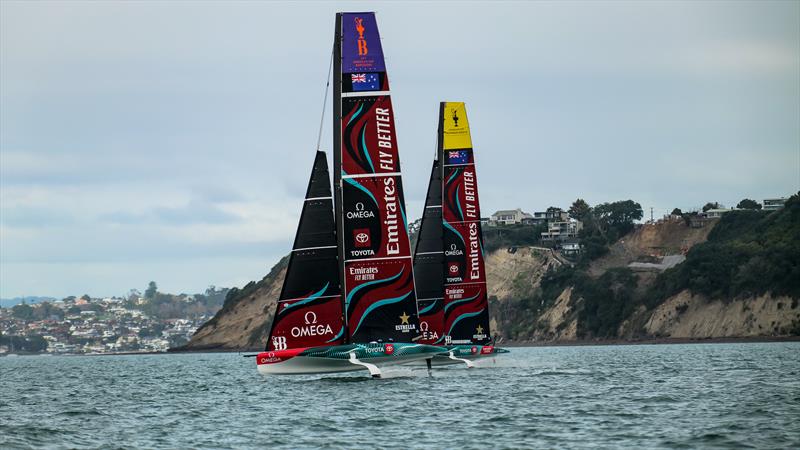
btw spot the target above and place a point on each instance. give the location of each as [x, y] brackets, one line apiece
[667, 396]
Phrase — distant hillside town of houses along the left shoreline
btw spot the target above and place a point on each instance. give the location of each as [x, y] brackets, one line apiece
[152, 322]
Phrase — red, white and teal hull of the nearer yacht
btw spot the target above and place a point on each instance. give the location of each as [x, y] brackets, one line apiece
[342, 358]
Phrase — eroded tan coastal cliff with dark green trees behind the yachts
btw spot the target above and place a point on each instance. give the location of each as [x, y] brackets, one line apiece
[735, 277]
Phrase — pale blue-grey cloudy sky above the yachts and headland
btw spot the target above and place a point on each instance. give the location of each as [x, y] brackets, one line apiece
[172, 141]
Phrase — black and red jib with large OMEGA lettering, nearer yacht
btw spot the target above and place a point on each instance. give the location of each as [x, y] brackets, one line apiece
[309, 310]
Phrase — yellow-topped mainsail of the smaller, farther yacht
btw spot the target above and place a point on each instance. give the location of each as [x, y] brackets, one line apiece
[466, 310]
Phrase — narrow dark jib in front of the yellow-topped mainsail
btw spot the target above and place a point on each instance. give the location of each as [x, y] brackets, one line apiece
[429, 263]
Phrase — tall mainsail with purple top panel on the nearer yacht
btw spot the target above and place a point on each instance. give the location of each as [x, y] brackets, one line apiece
[377, 274]
